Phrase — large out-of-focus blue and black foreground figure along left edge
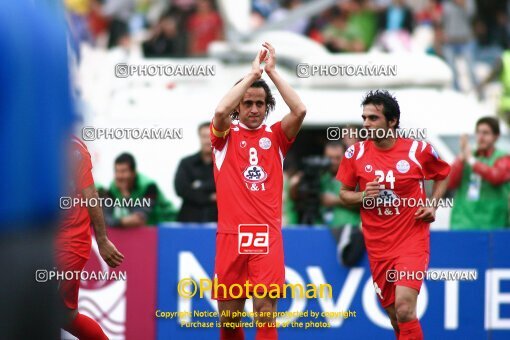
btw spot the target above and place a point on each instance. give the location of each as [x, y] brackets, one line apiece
[37, 117]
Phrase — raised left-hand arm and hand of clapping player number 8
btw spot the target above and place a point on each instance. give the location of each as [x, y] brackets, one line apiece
[231, 100]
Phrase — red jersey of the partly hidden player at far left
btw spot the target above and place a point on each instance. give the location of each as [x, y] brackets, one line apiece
[74, 232]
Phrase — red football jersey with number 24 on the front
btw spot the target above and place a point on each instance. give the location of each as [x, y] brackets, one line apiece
[402, 169]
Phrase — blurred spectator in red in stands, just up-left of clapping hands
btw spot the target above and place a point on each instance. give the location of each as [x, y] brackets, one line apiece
[204, 26]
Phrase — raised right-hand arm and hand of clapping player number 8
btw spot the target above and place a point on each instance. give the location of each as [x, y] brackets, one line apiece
[291, 123]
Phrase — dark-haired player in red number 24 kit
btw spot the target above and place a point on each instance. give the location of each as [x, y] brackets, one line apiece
[396, 237]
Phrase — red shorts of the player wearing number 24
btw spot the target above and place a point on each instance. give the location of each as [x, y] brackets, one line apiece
[400, 271]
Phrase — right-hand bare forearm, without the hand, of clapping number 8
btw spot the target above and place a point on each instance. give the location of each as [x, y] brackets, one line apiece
[292, 122]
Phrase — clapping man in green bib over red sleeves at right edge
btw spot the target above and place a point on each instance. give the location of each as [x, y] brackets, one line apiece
[482, 180]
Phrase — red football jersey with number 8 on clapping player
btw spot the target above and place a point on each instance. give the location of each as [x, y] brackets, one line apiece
[248, 171]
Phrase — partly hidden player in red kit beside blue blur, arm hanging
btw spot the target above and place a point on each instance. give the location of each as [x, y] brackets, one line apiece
[73, 243]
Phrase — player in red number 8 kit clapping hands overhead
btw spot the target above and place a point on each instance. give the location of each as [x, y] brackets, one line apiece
[248, 160]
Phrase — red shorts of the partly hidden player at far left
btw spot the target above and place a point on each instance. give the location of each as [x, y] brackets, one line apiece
[68, 289]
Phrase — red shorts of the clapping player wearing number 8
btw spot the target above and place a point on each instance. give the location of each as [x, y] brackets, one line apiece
[232, 268]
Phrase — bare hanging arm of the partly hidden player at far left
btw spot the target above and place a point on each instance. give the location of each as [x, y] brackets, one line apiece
[106, 248]
